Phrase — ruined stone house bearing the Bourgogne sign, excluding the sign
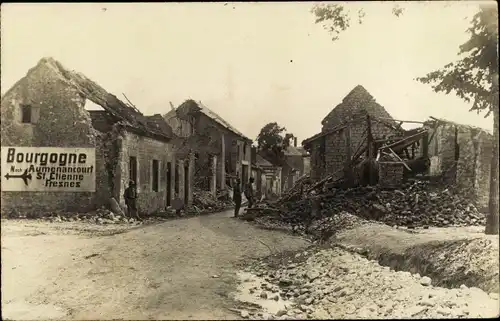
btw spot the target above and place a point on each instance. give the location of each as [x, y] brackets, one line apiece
[47, 108]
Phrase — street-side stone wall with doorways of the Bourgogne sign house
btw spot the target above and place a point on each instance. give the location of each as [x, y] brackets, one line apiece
[146, 150]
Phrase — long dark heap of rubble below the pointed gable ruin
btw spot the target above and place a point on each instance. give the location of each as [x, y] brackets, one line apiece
[417, 203]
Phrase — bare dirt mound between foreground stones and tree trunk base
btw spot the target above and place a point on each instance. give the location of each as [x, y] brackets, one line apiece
[450, 256]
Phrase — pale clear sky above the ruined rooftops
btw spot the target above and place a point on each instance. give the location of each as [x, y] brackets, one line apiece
[252, 63]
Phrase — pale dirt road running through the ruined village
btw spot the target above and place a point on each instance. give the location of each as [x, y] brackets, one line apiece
[181, 269]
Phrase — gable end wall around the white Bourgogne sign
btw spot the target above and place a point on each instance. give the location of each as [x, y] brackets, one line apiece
[58, 120]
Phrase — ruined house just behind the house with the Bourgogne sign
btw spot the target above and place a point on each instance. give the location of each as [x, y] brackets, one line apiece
[221, 151]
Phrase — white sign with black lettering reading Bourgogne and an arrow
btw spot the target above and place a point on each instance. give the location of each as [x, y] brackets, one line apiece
[48, 169]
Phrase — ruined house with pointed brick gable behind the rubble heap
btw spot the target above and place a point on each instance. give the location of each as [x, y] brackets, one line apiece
[344, 133]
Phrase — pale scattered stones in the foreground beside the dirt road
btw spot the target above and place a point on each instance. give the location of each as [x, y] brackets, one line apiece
[334, 283]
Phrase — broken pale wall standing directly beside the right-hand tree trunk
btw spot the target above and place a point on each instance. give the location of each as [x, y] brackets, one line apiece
[461, 155]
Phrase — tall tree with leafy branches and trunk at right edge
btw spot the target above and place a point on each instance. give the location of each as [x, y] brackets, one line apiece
[474, 78]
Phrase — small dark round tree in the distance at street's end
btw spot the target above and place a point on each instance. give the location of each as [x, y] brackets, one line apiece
[272, 142]
